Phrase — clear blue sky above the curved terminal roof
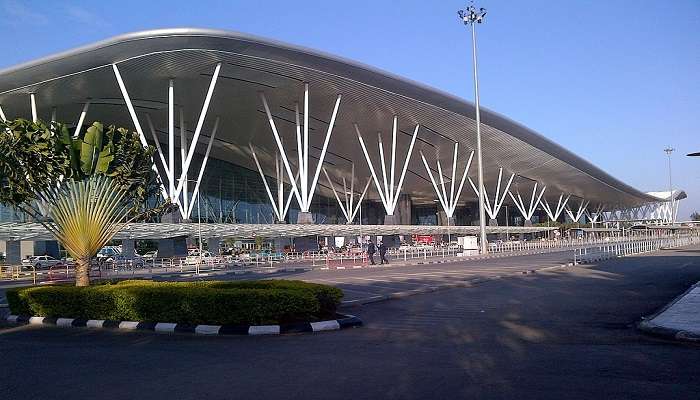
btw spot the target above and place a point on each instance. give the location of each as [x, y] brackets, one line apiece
[615, 81]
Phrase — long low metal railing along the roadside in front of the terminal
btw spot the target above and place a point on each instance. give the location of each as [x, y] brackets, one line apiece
[584, 251]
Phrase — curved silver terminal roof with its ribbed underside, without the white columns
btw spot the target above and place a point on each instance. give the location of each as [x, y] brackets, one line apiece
[251, 64]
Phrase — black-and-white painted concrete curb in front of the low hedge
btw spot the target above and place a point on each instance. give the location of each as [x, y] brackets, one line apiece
[345, 321]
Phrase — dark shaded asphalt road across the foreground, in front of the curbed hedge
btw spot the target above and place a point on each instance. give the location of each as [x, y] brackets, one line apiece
[559, 334]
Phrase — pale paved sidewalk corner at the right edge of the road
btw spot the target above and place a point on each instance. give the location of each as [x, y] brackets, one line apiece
[679, 320]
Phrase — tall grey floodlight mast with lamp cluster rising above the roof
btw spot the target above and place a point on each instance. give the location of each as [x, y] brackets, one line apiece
[471, 16]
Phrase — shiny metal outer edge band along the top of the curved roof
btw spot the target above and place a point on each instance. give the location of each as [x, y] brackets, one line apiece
[116, 49]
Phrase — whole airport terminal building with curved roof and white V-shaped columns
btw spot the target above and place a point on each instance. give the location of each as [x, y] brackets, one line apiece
[259, 137]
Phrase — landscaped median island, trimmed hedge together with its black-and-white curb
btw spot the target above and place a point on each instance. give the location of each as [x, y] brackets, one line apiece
[214, 307]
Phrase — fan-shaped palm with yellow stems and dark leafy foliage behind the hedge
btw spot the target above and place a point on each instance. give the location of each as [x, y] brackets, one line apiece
[81, 189]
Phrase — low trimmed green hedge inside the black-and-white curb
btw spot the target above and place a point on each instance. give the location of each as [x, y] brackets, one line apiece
[249, 302]
